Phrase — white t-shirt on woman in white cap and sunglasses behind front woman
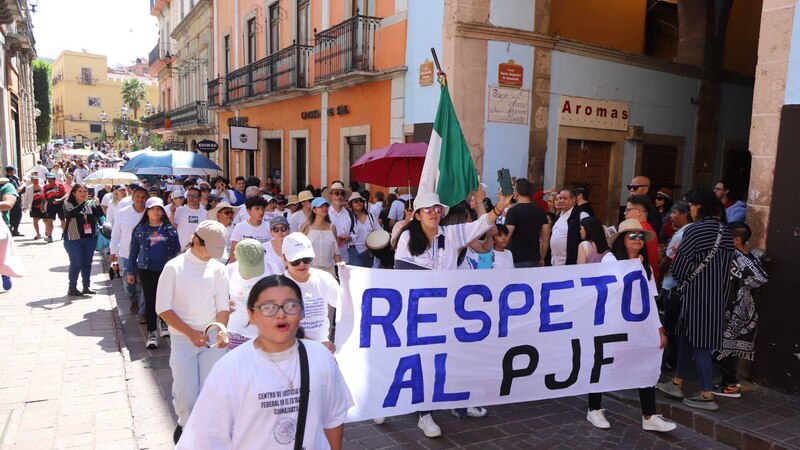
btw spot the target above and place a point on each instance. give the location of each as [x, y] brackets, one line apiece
[320, 290]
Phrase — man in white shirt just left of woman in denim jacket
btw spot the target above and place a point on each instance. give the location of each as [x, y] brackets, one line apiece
[125, 221]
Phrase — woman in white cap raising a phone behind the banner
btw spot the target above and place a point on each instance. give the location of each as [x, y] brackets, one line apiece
[425, 244]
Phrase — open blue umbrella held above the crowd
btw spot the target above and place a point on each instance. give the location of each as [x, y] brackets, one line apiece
[171, 162]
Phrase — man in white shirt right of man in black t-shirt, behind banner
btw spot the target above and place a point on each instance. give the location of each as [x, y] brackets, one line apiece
[566, 234]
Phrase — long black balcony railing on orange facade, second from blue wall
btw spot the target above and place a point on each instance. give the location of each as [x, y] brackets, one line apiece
[285, 69]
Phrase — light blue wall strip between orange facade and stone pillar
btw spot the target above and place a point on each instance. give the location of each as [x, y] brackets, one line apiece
[425, 19]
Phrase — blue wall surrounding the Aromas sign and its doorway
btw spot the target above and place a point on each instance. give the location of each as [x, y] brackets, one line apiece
[658, 101]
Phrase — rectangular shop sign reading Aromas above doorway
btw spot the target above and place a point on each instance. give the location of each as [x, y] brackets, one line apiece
[593, 113]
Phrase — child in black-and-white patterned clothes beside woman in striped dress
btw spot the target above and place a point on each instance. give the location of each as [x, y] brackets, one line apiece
[741, 318]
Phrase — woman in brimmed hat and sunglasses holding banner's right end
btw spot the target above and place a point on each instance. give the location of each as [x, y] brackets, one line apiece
[629, 243]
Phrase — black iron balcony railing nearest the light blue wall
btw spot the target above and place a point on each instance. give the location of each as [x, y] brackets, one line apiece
[346, 47]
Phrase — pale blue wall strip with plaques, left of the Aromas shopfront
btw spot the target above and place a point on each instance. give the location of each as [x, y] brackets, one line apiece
[506, 145]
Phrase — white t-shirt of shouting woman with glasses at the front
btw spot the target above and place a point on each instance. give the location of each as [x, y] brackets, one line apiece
[246, 402]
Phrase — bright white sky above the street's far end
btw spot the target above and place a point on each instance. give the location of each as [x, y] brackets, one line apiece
[123, 30]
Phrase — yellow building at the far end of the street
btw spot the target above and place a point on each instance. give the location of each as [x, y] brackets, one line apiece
[83, 88]
